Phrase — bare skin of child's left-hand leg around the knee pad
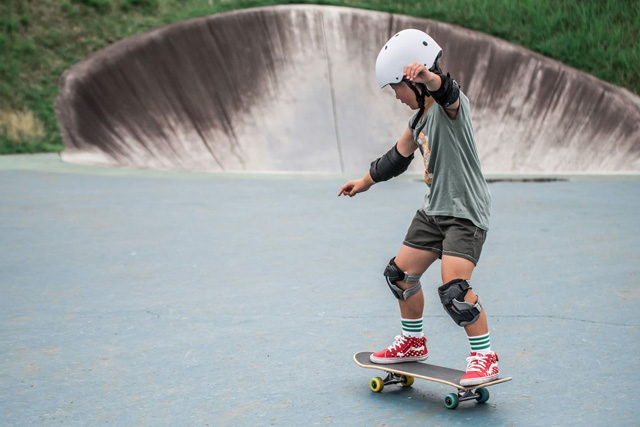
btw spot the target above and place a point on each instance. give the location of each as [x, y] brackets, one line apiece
[414, 262]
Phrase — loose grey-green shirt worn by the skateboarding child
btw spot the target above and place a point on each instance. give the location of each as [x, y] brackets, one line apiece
[452, 168]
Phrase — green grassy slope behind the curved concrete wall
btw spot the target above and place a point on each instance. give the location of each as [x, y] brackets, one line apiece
[39, 39]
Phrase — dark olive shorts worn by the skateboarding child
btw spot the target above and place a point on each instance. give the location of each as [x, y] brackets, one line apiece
[446, 235]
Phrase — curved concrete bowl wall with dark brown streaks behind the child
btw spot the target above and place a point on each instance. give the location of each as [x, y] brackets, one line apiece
[293, 88]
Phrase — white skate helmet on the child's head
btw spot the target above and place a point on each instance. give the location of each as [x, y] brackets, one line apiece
[404, 48]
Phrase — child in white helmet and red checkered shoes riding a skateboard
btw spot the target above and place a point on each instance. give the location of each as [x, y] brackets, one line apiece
[454, 219]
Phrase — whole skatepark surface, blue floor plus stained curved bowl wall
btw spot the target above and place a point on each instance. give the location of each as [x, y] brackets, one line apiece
[189, 268]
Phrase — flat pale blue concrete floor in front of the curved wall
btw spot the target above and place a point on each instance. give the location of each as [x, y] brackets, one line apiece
[162, 298]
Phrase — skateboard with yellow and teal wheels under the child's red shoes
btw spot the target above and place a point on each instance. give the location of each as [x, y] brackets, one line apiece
[405, 372]
